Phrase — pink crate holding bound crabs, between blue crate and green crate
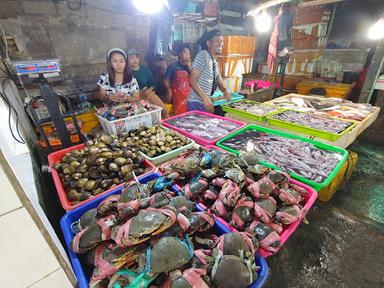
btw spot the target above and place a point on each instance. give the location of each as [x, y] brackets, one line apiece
[288, 229]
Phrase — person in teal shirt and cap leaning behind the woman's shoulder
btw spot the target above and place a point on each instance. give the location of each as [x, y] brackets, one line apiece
[145, 80]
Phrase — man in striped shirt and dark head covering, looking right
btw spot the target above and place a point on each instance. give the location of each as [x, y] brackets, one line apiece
[205, 76]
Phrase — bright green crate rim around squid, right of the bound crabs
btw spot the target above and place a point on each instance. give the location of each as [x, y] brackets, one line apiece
[315, 185]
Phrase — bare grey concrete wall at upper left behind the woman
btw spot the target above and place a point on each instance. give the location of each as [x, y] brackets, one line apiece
[80, 38]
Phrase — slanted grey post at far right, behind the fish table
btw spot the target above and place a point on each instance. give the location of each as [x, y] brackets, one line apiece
[373, 73]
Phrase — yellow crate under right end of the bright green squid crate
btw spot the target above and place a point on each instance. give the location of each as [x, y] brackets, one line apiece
[344, 174]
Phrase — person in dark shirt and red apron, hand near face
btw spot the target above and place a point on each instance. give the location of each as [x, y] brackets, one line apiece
[177, 79]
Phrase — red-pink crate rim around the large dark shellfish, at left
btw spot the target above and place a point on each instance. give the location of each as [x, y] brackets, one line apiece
[65, 203]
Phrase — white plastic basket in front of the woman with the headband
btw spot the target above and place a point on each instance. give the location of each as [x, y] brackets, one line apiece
[121, 126]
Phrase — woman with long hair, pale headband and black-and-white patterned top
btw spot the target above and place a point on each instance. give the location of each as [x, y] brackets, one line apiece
[118, 84]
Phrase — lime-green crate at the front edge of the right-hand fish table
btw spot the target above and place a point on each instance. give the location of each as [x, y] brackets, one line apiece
[308, 130]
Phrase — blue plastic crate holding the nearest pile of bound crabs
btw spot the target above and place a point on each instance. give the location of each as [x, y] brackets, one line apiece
[74, 215]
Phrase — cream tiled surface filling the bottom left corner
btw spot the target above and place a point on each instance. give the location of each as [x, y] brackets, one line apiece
[26, 259]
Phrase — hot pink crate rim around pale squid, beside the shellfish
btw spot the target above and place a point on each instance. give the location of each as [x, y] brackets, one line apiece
[197, 139]
